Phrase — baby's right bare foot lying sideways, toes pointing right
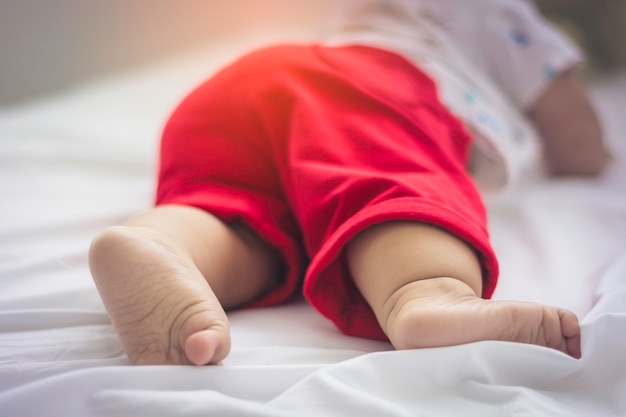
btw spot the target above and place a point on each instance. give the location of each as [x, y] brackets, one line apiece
[444, 312]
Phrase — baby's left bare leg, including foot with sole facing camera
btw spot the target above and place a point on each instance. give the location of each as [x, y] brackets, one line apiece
[166, 277]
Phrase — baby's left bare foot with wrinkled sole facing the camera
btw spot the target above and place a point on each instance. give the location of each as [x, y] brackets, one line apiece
[160, 304]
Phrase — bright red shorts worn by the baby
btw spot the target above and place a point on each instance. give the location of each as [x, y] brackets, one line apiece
[308, 145]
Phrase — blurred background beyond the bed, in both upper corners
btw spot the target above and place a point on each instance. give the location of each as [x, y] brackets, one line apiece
[47, 45]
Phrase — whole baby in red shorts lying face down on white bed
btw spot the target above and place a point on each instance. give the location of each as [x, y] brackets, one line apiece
[348, 169]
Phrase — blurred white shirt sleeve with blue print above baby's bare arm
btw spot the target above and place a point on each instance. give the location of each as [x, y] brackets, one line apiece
[510, 41]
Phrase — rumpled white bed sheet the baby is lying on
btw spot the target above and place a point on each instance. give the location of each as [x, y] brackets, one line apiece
[77, 162]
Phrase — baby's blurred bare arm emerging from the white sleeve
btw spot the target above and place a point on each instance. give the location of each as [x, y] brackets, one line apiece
[569, 127]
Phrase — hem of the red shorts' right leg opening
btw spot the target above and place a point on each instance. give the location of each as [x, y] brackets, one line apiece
[356, 318]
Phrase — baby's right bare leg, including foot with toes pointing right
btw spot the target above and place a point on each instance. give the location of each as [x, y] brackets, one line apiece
[424, 286]
